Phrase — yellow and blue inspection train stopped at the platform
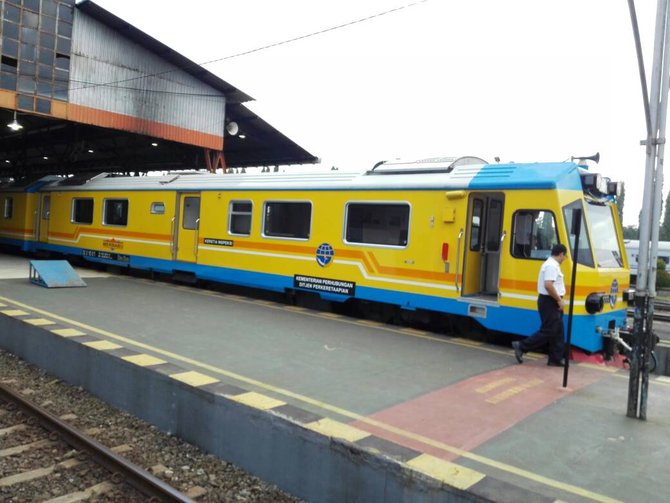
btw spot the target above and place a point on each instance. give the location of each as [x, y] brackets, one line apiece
[452, 236]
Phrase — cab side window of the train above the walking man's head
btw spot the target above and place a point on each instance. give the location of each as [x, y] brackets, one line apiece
[534, 234]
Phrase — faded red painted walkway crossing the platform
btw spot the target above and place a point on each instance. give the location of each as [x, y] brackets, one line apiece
[467, 414]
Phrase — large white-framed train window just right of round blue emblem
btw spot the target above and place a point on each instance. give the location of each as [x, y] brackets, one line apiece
[383, 209]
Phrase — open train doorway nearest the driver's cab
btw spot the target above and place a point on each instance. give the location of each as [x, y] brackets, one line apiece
[483, 245]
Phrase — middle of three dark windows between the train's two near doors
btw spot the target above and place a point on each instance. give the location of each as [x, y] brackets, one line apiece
[285, 219]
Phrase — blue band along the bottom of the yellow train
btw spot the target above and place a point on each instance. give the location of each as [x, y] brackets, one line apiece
[500, 318]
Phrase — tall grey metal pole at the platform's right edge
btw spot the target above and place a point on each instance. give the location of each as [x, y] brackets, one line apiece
[655, 113]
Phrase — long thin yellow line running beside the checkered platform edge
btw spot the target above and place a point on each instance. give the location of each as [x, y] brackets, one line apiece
[338, 410]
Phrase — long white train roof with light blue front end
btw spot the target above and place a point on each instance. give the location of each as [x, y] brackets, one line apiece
[443, 174]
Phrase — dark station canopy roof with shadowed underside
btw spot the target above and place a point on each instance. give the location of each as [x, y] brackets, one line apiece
[48, 145]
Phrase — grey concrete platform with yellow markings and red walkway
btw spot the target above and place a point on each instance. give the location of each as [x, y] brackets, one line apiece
[338, 409]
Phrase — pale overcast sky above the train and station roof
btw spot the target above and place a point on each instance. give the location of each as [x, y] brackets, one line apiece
[524, 80]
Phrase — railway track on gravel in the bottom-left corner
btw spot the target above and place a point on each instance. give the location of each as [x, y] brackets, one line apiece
[44, 447]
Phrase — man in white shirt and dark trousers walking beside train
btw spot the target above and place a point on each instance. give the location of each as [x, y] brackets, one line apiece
[550, 304]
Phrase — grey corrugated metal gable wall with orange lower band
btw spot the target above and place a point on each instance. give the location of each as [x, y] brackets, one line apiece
[119, 83]
